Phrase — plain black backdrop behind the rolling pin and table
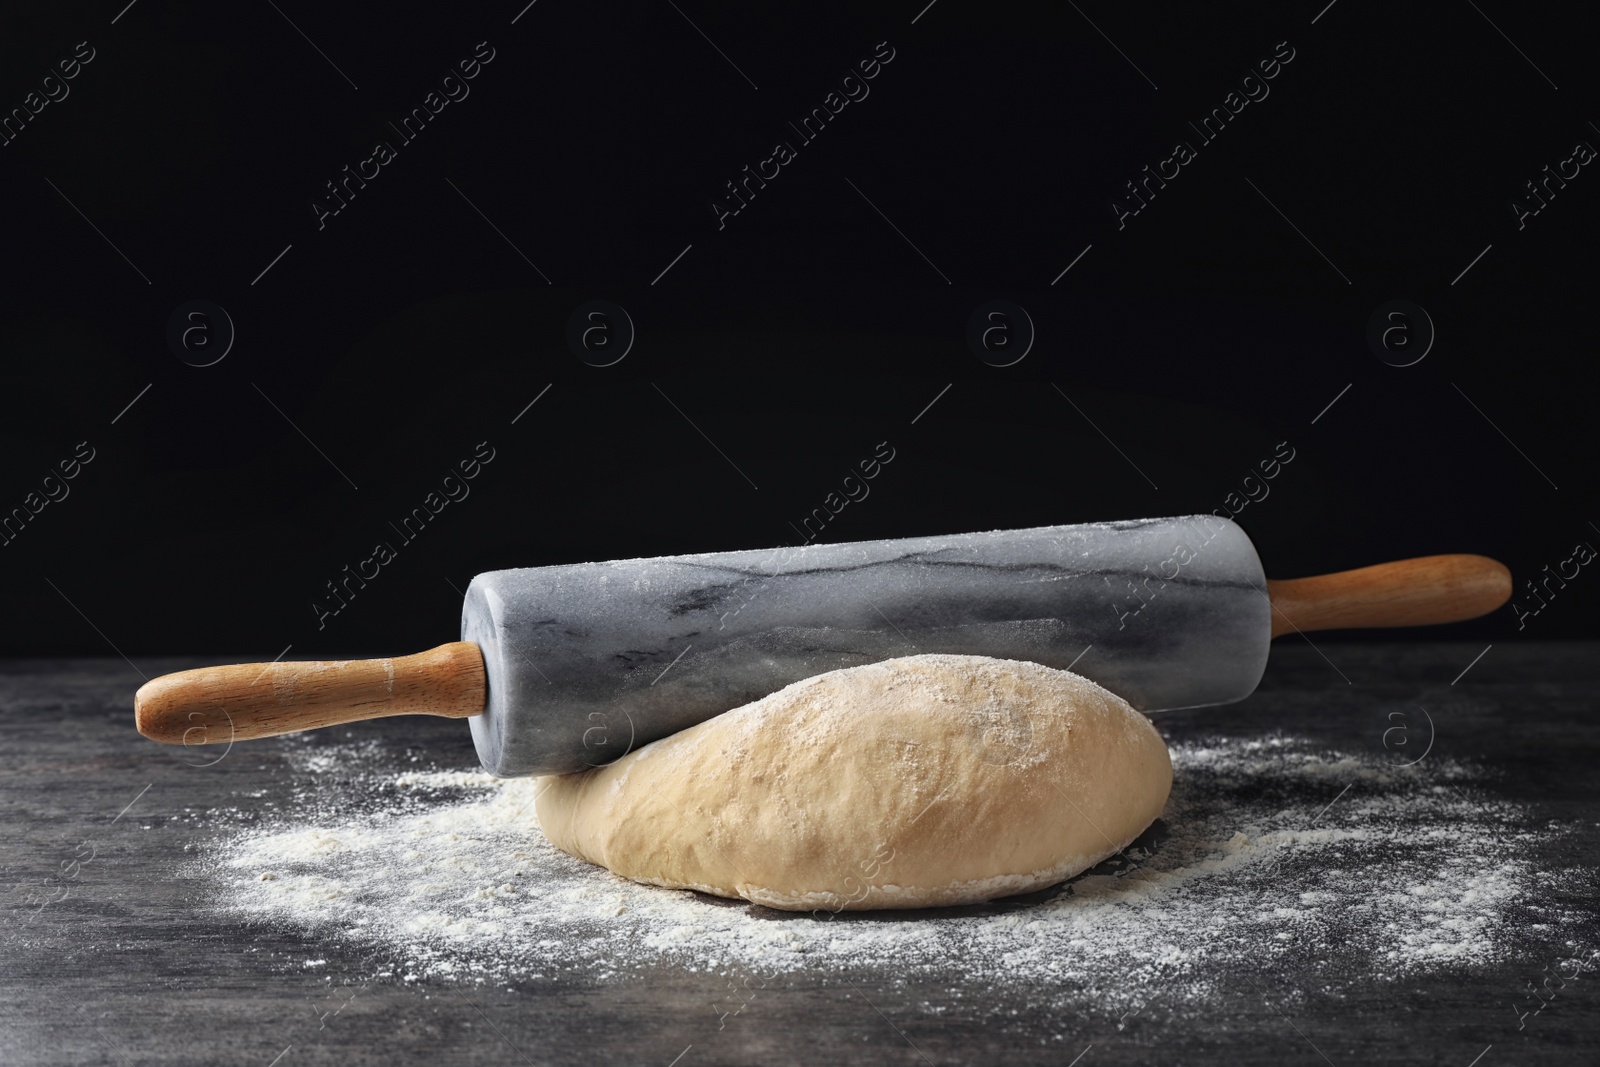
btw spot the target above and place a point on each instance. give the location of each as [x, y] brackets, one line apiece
[780, 351]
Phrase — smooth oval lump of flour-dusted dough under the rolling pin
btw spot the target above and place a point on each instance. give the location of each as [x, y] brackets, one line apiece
[910, 783]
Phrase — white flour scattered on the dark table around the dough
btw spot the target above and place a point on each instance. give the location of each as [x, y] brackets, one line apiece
[1268, 849]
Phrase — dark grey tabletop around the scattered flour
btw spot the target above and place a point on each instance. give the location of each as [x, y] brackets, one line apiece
[110, 956]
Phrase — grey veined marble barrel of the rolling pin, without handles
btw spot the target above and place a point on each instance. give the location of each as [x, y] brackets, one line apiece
[590, 660]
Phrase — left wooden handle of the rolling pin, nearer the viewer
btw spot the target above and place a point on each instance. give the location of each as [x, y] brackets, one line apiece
[242, 701]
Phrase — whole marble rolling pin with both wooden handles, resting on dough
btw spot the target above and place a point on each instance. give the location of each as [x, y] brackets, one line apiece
[567, 668]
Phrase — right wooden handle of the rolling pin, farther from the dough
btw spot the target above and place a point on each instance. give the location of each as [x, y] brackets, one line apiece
[1409, 593]
